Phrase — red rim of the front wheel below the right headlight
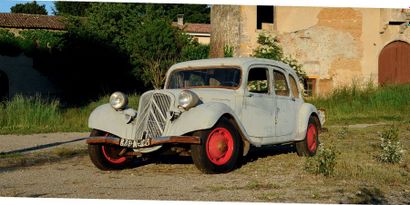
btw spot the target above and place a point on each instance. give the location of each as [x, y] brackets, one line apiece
[219, 146]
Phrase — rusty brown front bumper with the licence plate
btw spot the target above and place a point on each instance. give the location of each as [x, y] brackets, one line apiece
[143, 143]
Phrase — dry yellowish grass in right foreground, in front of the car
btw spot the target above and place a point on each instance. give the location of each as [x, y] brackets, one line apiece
[359, 177]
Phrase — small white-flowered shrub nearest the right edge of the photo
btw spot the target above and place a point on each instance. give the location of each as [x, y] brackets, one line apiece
[391, 150]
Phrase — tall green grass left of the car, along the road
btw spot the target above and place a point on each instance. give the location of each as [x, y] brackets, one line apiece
[23, 115]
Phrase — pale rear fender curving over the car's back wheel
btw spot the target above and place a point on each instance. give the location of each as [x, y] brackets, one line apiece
[305, 112]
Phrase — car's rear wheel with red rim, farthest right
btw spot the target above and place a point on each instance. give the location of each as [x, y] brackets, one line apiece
[309, 145]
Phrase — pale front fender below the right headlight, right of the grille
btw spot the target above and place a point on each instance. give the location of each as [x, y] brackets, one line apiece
[201, 117]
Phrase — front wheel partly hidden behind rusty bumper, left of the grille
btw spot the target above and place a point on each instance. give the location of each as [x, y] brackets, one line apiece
[105, 156]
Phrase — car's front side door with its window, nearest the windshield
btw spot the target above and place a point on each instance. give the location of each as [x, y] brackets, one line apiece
[258, 103]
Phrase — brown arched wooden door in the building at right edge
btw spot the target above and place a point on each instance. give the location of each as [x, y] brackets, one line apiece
[394, 63]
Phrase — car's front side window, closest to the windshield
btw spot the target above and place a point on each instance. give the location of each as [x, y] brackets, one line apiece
[258, 80]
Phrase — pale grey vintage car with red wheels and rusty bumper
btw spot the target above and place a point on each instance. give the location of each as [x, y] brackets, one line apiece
[213, 110]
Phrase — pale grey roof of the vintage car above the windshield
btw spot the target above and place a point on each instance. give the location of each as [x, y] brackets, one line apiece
[242, 62]
